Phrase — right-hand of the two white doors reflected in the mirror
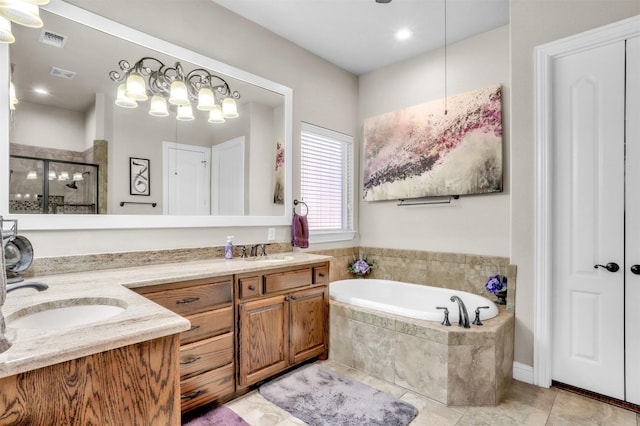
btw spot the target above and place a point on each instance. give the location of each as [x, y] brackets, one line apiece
[227, 177]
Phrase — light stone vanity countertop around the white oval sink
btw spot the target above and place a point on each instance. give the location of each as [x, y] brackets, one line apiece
[142, 320]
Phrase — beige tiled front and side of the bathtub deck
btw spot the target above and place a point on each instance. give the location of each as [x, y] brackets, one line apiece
[454, 366]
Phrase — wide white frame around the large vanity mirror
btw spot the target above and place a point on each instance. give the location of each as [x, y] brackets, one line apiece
[113, 221]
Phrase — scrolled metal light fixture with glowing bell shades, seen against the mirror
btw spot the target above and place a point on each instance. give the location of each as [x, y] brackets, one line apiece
[166, 86]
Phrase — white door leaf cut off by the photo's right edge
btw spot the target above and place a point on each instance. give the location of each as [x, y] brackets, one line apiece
[632, 240]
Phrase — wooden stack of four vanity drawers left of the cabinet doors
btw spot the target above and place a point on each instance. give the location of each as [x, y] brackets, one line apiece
[207, 367]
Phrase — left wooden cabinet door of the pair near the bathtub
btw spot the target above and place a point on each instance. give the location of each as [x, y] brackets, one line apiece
[263, 339]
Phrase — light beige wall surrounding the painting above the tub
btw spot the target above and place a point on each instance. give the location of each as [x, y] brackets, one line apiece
[472, 224]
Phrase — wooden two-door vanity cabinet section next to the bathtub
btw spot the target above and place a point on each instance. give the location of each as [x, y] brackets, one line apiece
[283, 322]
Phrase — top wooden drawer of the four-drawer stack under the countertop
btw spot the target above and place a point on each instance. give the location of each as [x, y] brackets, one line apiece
[197, 298]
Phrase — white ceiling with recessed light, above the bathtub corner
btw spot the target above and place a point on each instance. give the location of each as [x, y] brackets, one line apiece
[358, 35]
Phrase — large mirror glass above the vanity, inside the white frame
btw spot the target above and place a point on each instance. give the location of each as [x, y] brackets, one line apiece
[200, 162]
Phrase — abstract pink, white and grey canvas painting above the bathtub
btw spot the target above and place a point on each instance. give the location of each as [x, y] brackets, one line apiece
[435, 149]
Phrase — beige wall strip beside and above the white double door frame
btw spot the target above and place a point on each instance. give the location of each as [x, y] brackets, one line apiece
[535, 22]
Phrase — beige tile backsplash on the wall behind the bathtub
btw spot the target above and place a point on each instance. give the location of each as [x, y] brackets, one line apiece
[457, 271]
